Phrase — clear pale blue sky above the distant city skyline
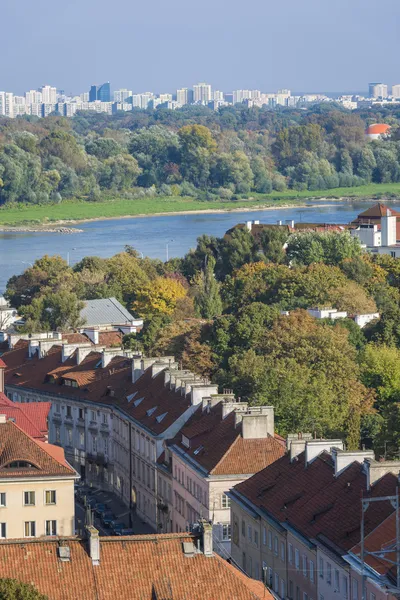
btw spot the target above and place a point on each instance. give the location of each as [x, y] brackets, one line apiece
[161, 45]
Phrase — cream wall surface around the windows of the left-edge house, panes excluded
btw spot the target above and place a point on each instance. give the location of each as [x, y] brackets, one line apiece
[14, 514]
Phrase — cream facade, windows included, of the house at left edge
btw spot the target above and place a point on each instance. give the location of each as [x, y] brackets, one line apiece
[36, 507]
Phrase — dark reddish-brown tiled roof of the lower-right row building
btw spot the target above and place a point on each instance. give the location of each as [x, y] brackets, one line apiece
[316, 502]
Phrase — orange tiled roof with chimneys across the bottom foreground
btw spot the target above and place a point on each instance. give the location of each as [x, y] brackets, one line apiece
[152, 567]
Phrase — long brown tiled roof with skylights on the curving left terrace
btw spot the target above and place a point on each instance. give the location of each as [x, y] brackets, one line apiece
[158, 408]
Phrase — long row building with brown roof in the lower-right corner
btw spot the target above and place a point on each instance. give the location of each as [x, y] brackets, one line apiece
[296, 522]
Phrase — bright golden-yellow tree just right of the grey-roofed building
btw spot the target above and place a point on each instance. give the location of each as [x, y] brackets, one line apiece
[159, 297]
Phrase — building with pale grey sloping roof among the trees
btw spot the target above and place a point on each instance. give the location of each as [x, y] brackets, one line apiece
[108, 313]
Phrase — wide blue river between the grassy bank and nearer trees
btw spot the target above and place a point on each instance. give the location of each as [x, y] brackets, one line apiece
[153, 236]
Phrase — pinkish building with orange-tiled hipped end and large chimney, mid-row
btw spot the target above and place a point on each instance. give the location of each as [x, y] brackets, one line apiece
[223, 443]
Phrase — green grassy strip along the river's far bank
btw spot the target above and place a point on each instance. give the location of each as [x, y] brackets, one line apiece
[112, 208]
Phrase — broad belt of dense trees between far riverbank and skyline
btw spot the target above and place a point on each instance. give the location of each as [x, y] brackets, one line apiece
[193, 151]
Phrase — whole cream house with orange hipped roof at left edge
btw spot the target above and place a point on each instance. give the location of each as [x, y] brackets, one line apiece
[36, 486]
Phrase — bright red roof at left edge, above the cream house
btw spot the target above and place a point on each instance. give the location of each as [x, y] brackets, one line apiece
[31, 417]
